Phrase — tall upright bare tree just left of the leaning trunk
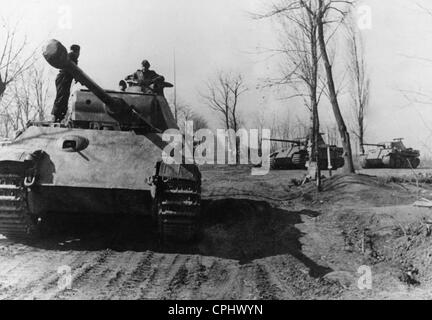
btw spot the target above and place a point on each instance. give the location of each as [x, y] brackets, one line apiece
[301, 64]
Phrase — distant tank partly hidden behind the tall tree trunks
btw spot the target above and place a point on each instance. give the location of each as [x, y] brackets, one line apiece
[296, 156]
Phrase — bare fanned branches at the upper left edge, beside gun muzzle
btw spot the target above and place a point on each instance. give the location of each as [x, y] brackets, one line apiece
[13, 58]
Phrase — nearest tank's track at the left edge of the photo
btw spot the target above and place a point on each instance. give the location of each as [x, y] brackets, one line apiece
[15, 221]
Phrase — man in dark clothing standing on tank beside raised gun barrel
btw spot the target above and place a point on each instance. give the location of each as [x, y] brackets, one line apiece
[63, 85]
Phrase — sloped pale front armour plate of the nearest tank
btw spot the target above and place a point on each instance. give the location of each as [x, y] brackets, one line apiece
[112, 159]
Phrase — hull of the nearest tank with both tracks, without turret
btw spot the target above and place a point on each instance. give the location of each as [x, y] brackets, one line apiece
[80, 172]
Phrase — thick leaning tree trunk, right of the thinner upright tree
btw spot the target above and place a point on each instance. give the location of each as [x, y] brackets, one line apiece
[346, 143]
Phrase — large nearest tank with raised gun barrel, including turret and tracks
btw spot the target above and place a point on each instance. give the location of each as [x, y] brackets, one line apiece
[105, 161]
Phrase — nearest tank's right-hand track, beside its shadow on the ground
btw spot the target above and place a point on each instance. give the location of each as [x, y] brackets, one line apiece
[178, 209]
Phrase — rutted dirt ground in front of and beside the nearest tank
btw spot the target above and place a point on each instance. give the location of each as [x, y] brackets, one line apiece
[263, 238]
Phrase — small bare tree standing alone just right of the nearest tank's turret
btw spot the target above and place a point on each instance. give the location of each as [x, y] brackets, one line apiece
[222, 95]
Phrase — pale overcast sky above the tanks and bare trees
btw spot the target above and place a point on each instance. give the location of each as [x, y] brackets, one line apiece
[213, 35]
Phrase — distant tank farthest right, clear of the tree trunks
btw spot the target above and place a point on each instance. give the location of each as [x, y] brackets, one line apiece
[393, 155]
